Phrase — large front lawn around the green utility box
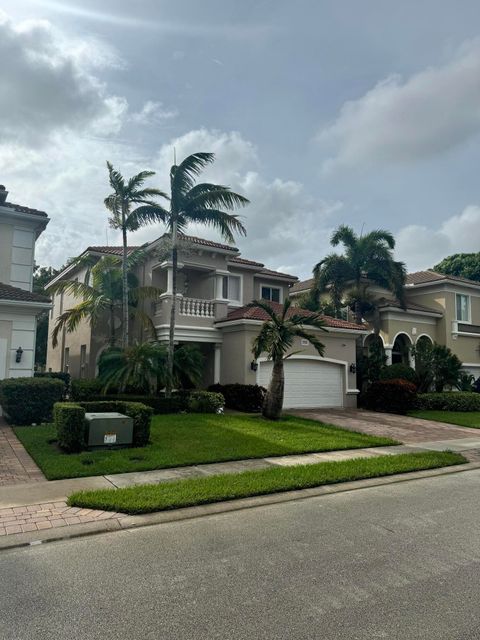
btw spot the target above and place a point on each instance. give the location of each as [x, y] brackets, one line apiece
[183, 439]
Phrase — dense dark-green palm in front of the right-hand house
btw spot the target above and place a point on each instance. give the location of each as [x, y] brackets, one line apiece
[368, 259]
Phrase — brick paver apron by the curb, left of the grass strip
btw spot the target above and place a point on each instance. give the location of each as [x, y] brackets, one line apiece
[38, 517]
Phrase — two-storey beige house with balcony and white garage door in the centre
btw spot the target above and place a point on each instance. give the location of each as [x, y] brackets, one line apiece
[214, 285]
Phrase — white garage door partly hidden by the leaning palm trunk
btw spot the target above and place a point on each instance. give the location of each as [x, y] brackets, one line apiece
[308, 383]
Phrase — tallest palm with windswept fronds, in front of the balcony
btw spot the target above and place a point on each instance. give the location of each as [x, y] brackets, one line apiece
[204, 204]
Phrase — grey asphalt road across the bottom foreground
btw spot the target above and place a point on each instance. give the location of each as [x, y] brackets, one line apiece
[400, 561]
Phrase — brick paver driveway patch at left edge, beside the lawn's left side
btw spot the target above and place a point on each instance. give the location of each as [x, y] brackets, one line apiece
[16, 466]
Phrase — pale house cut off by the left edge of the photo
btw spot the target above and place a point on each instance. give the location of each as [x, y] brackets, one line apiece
[19, 228]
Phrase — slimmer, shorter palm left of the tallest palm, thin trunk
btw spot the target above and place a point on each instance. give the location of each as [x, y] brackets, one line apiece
[127, 193]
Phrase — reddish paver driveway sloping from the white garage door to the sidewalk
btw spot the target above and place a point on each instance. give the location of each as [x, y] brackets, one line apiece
[402, 428]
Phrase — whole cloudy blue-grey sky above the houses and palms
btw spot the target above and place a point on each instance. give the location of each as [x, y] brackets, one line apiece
[320, 111]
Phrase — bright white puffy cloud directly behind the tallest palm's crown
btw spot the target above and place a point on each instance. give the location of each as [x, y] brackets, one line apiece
[282, 216]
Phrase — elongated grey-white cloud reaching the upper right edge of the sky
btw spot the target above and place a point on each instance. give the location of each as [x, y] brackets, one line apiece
[401, 120]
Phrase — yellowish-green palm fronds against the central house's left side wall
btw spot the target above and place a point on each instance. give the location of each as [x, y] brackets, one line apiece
[102, 294]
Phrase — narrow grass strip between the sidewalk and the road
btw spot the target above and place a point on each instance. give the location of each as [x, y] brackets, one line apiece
[195, 491]
